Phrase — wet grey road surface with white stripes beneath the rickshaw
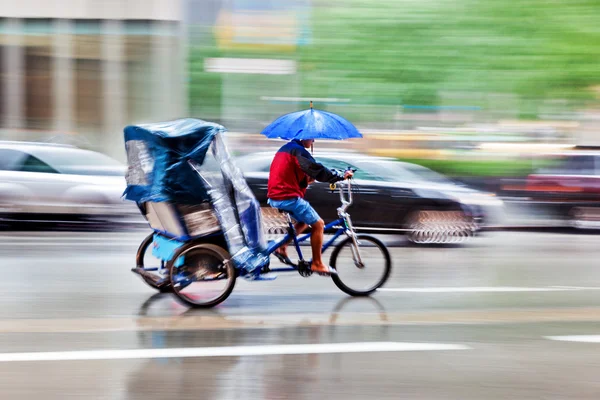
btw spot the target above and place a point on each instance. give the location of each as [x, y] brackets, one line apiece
[508, 315]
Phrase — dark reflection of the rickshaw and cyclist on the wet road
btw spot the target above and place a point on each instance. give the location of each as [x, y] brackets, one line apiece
[243, 377]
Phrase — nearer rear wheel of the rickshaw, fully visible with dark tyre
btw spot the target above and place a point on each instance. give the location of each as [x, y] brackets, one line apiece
[206, 276]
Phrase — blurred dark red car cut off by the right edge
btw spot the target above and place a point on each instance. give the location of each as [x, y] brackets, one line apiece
[570, 190]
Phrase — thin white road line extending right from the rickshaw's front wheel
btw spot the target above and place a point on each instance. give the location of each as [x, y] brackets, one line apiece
[489, 289]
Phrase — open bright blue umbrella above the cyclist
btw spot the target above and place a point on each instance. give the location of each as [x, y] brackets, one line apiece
[311, 124]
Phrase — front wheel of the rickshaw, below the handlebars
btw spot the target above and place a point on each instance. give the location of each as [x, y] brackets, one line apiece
[361, 279]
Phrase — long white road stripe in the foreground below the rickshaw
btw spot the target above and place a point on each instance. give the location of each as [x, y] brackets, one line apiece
[229, 351]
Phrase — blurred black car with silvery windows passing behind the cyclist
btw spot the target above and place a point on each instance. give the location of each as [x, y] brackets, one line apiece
[389, 196]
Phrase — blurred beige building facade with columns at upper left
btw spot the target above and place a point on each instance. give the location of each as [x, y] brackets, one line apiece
[80, 70]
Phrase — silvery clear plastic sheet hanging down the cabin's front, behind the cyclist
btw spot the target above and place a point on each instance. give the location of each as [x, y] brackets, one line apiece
[235, 206]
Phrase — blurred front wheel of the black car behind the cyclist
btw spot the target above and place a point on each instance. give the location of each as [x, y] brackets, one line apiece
[431, 226]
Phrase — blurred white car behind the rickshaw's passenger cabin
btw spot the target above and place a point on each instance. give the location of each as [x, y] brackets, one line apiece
[49, 181]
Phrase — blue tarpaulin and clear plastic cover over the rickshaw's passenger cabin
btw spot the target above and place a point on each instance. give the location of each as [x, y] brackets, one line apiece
[171, 162]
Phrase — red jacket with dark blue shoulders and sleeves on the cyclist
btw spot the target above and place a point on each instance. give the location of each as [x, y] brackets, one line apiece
[290, 170]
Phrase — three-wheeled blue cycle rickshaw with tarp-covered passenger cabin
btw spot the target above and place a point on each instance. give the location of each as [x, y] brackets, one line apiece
[208, 227]
